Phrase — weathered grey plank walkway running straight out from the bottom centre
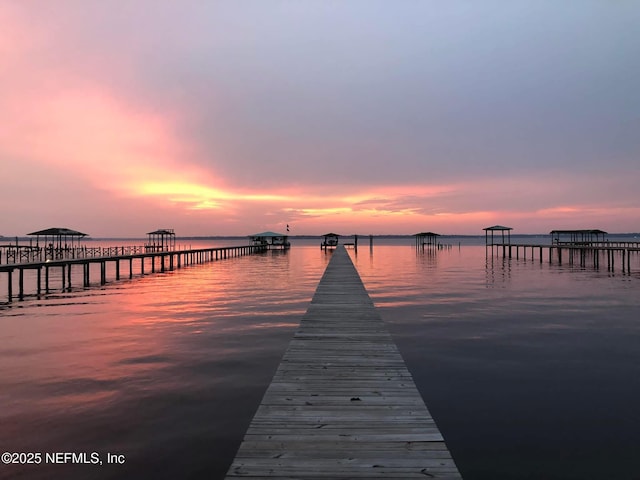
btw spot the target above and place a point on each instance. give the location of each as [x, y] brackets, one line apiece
[342, 403]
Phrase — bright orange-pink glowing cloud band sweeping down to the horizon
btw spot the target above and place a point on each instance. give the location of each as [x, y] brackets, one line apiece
[136, 154]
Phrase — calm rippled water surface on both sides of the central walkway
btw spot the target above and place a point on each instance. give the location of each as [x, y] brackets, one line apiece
[531, 370]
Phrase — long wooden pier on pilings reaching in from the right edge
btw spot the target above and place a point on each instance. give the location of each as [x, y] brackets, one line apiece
[573, 254]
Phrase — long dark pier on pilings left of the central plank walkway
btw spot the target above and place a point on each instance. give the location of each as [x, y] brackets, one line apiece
[147, 262]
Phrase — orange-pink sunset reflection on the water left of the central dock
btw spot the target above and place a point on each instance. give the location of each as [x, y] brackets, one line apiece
[77, 360]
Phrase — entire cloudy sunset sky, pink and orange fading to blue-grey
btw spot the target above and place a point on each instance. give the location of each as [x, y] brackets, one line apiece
[357, 116]
